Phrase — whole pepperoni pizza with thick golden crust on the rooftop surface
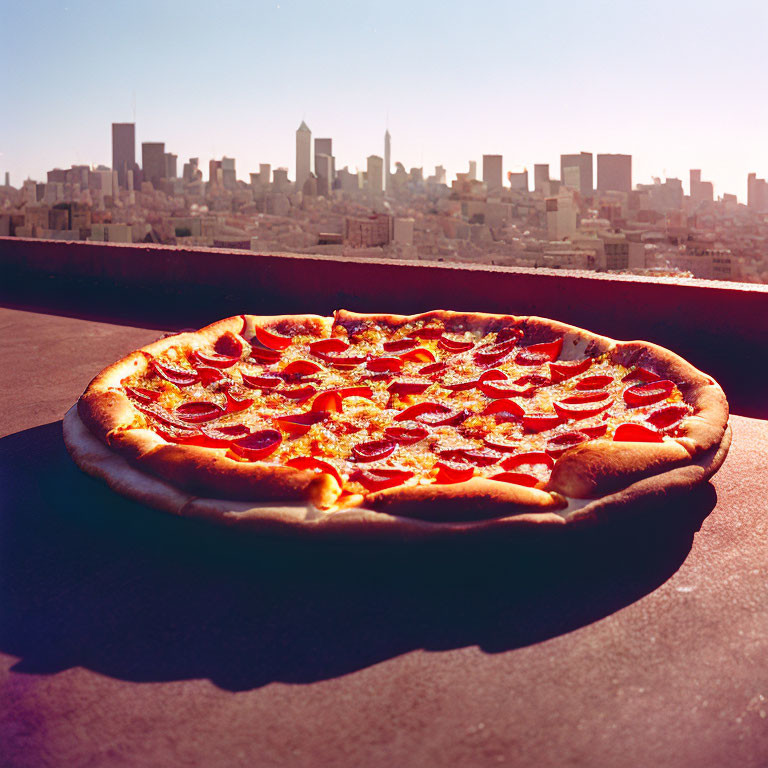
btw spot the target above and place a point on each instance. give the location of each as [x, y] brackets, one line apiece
[442, 420]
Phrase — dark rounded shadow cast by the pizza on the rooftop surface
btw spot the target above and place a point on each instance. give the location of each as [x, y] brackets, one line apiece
[90, 579]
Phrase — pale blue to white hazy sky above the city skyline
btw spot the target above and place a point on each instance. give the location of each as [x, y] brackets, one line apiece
[678, 85]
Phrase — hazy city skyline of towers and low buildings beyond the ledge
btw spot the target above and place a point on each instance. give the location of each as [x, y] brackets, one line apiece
[588, 214]
